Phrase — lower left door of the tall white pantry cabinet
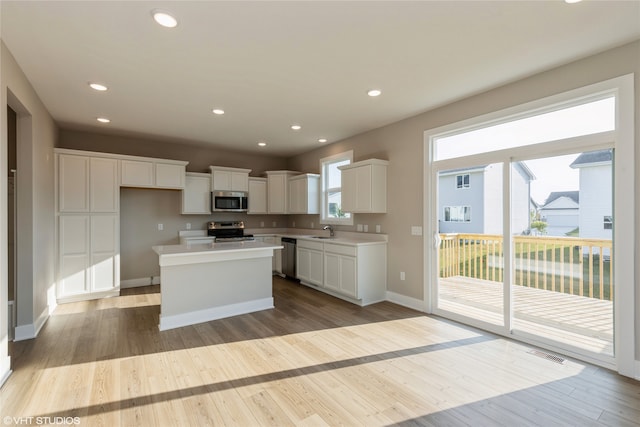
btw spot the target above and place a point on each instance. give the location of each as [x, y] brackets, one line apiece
[73, 255]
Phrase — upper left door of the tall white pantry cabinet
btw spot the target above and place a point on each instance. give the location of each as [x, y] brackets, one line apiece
[73, 183]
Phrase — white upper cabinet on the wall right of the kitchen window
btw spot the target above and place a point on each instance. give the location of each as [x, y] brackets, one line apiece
[364, 186]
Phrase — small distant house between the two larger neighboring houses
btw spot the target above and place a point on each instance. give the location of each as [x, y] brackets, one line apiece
[561, 212]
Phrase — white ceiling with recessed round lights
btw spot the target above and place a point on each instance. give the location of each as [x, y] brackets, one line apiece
[272, 64]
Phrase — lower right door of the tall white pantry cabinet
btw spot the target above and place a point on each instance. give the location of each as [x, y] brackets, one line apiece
[105, 265]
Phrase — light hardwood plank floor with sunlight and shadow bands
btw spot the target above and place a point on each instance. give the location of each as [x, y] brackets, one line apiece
[312, 361]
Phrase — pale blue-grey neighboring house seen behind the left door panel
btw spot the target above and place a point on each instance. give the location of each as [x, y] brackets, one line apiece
[470, 200]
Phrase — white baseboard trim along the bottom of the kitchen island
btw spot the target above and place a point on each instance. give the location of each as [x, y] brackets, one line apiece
[214, 313]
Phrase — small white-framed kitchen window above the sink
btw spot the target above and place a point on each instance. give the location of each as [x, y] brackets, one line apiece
[331, 179]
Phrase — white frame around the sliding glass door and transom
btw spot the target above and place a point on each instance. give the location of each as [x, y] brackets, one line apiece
[624, 184]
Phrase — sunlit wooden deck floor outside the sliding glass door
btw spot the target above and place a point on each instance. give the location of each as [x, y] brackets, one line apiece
[580, 321]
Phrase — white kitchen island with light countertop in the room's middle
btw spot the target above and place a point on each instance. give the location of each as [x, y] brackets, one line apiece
[203, 282]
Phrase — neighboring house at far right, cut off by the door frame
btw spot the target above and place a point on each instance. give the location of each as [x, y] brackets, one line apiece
[596, 187]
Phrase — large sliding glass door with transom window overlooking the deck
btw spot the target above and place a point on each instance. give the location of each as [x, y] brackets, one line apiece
[524, 224]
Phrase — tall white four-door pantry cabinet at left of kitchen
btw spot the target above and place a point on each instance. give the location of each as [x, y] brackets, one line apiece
[88, 226]
